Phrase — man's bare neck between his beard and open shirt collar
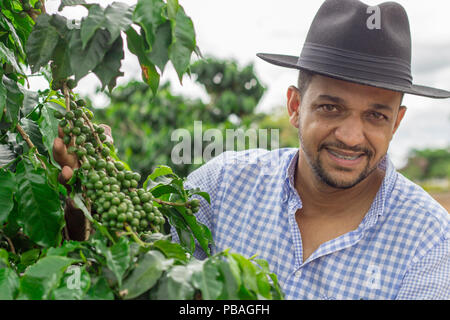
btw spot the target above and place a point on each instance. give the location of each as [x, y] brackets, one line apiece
[320, 199]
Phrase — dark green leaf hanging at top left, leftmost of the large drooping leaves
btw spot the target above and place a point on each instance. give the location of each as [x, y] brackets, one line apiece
[41, 43]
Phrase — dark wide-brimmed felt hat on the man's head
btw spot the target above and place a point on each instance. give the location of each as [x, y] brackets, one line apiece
[352, 41]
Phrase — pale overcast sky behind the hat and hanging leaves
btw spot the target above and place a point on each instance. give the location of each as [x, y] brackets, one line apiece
[238, 29]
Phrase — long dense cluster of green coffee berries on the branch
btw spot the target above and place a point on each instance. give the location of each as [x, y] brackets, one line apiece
[110, 189]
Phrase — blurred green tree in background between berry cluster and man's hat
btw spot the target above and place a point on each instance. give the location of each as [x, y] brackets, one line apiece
[142, 123]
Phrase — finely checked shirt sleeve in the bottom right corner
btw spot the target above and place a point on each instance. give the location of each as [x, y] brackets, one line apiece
[429, 278]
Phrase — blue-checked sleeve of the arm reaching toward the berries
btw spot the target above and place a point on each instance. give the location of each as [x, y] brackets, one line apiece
[207, 178]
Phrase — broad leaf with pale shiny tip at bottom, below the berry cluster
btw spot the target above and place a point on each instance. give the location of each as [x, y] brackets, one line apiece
[148, 271]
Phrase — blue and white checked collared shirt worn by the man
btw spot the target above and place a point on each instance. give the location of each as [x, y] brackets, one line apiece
[400, 250]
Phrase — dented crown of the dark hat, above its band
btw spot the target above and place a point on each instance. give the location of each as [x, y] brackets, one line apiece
[346, 24]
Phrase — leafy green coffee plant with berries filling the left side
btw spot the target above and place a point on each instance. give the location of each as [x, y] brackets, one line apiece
[104, 233]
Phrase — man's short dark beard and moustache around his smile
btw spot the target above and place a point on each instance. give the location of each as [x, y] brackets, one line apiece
[326, 177]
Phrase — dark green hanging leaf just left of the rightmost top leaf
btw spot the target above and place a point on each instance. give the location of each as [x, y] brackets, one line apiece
[160, 51]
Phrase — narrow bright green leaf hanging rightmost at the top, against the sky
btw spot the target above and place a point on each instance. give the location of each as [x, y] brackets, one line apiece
[183, 42]
